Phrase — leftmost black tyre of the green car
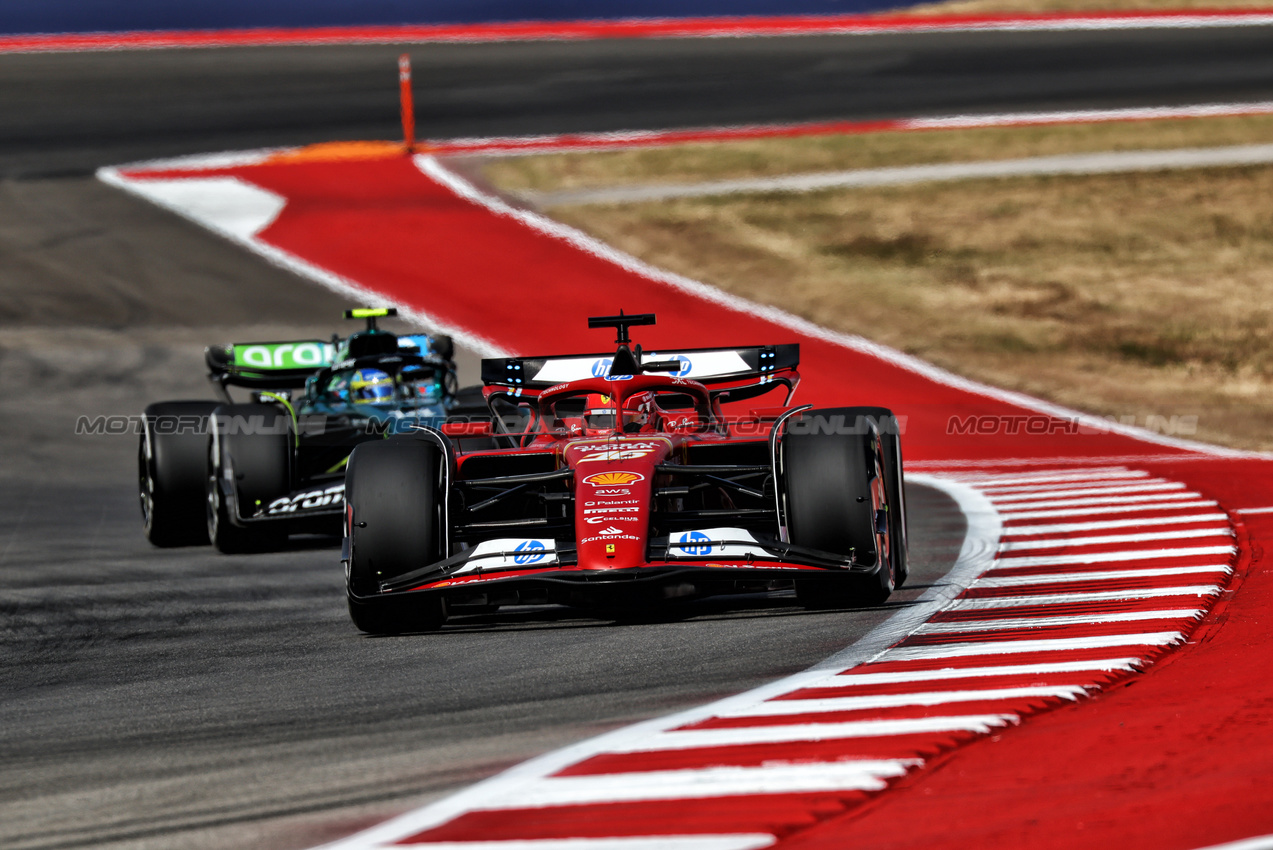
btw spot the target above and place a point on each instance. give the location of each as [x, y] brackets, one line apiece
[171, 469]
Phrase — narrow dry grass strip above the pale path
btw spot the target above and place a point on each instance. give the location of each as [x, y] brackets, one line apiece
[771, 157]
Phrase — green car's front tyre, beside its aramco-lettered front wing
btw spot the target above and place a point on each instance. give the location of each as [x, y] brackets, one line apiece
[249, 466]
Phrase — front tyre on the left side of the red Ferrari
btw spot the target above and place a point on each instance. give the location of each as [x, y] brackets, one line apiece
[395, 525]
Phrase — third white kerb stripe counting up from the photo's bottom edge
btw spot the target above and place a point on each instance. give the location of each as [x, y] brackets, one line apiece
[743, 736]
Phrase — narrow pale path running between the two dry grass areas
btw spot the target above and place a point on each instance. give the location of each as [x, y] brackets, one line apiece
[1075, 165]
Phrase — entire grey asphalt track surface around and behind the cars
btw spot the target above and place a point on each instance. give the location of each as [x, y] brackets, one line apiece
[160, 699]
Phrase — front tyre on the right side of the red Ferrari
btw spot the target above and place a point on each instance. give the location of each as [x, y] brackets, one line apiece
[832, 501]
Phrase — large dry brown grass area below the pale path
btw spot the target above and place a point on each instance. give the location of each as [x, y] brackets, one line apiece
[1117, 295]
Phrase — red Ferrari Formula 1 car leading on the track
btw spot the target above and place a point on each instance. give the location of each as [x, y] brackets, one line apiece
[627, 480]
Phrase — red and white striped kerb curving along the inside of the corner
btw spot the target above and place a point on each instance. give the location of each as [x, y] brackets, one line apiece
[1088, 608]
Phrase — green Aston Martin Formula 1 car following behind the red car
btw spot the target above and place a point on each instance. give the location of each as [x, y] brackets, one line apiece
[245, 475]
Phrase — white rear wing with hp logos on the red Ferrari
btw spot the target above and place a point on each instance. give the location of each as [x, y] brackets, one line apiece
[706, 366]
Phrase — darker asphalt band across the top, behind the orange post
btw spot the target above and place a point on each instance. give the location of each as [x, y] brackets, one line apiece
[72, 113]
